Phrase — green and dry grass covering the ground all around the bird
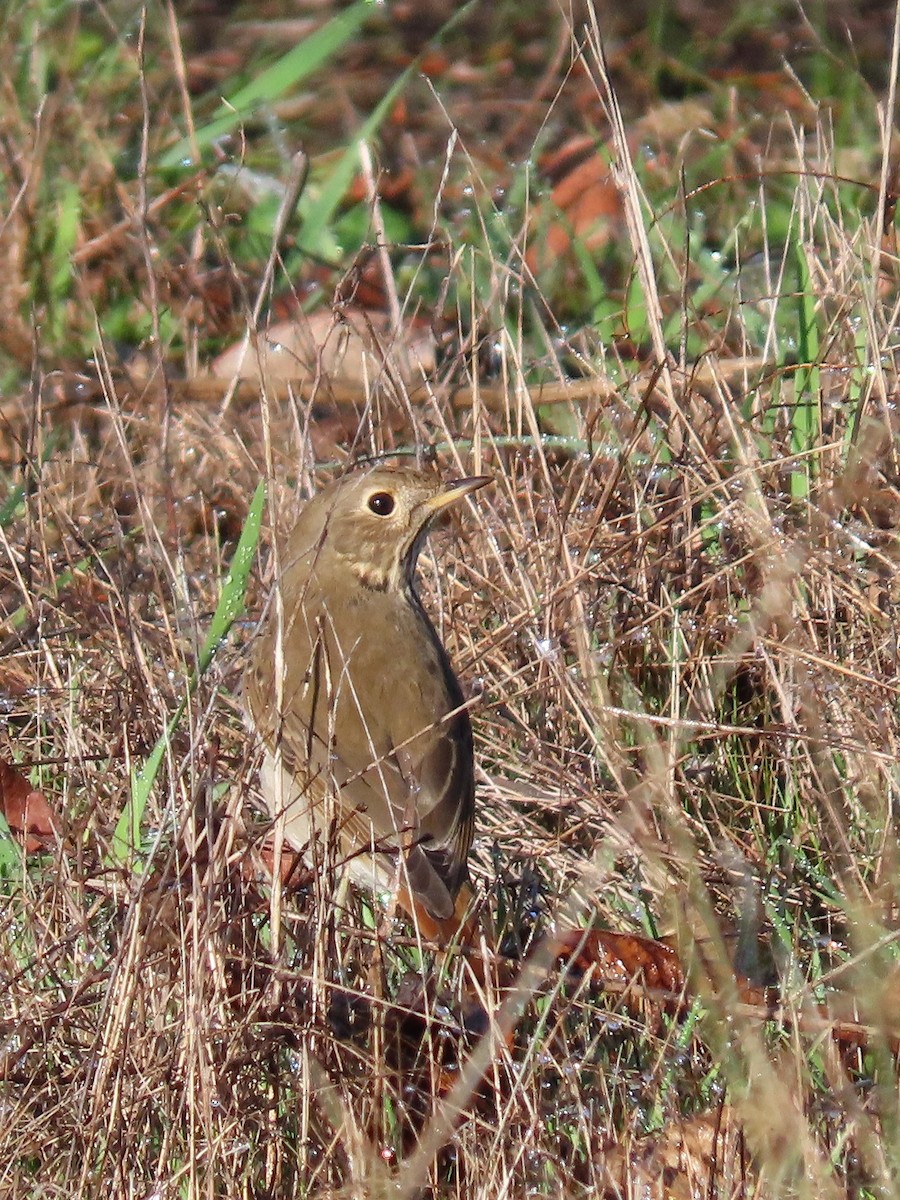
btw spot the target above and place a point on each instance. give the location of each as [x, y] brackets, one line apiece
[676, 609]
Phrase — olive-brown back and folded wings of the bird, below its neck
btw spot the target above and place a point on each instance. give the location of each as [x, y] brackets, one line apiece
[393, 747]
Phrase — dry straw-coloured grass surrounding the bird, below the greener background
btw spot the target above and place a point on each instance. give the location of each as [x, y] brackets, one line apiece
[680, 625]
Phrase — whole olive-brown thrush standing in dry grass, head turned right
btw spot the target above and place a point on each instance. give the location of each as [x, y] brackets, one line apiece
[368, 721]
